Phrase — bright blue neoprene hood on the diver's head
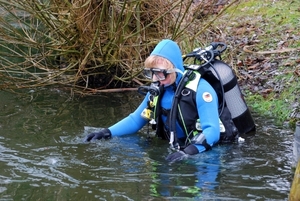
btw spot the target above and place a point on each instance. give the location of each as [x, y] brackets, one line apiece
[171, 51]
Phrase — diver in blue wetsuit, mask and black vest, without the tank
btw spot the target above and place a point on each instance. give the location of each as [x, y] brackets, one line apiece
[180, 104]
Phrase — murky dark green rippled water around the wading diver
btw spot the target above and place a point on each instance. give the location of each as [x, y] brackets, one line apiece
[43, 157]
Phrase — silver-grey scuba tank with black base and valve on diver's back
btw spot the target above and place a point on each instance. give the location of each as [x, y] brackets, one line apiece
[223, 80]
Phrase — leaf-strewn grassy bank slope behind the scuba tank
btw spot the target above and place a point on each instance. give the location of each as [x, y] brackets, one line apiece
[264, 50]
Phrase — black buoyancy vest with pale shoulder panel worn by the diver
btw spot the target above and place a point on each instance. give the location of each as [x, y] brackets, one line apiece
[188, 118]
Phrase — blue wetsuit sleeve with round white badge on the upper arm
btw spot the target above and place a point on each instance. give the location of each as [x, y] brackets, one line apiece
[207, 107]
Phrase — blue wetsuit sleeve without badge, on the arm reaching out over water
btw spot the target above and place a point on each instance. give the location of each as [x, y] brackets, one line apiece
[132, 123]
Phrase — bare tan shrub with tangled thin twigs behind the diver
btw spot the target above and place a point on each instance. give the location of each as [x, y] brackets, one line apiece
[90, 45]
